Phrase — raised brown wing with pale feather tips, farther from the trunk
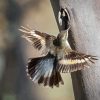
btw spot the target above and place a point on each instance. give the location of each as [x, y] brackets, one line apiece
[39, 40]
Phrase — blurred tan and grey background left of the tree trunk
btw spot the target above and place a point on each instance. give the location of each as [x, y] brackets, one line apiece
[14, 51]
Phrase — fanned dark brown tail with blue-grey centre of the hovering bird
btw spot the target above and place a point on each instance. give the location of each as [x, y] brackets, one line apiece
[43, 71]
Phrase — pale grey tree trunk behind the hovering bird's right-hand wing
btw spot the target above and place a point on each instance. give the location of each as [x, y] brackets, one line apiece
[85, 26]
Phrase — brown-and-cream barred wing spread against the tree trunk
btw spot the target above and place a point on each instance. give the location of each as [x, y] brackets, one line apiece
[74, 61]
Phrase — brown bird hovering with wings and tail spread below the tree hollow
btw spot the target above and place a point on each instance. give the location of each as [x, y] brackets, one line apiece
[58, 57]
